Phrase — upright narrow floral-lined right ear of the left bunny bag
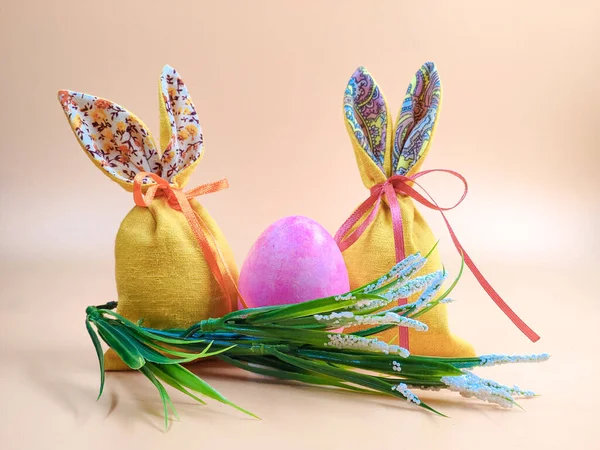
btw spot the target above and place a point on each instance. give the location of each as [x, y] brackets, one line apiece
[180, 132]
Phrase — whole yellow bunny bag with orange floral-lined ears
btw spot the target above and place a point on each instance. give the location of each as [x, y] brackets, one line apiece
[162, 273]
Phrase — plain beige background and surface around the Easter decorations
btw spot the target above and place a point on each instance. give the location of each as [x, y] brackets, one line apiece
[519, 121]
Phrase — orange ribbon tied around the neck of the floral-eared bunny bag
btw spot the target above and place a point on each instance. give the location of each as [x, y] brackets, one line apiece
[180, 201]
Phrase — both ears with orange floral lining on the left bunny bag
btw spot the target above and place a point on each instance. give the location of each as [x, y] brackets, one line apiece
[122, 145]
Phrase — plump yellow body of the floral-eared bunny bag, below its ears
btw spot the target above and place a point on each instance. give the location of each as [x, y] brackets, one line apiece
[161, 273]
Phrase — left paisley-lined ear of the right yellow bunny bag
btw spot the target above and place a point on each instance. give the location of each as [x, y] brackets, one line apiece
[367, 116]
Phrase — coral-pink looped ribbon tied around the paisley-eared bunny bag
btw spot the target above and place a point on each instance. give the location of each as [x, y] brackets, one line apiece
[402, 185]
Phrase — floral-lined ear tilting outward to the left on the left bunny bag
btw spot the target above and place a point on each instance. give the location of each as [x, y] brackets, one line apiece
[115, 139]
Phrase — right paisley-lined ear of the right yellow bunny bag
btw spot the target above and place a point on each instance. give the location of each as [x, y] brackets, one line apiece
[417, 119]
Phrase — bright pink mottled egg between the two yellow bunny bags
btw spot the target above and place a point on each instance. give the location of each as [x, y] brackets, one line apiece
[294, 260]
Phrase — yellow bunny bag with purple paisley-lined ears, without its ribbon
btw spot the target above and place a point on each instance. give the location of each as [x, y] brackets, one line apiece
[381, 152]
